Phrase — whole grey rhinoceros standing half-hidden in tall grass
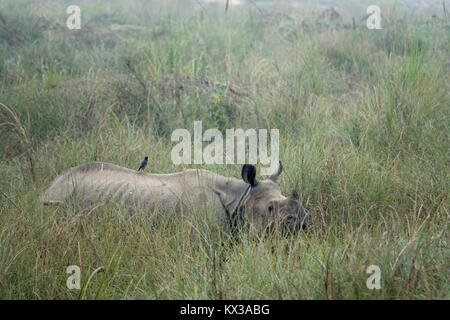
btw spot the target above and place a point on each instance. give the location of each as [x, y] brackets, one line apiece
[259, 204]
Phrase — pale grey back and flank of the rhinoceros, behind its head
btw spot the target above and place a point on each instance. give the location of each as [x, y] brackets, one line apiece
[97, 181]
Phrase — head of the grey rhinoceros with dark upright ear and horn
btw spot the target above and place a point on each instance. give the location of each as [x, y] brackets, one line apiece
[266, 207]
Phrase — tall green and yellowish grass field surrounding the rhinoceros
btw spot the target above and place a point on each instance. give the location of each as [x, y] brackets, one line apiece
[364, 138]
